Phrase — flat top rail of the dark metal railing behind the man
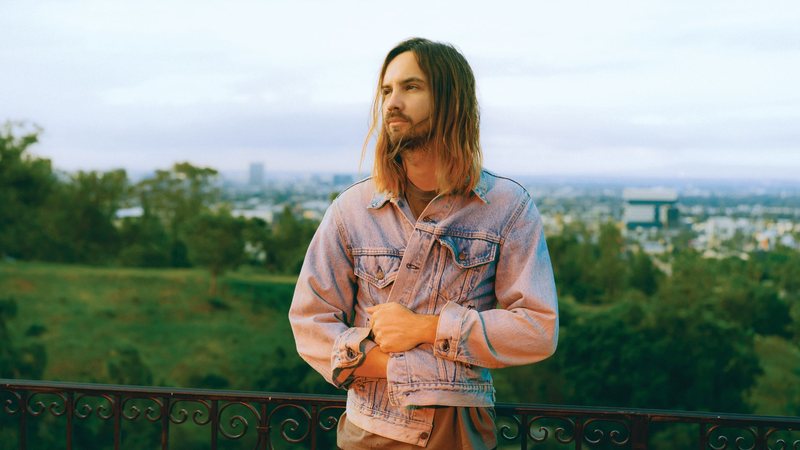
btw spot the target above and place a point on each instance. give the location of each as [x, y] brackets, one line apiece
[530, 409]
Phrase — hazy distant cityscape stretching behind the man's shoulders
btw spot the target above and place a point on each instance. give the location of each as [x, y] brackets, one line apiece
[716, 218]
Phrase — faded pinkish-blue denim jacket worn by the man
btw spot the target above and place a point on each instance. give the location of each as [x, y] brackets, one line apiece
[478, 261]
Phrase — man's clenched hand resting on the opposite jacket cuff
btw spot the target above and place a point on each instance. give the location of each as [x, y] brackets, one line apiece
[396, 328]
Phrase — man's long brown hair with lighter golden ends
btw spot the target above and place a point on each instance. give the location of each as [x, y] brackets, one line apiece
[454, 135]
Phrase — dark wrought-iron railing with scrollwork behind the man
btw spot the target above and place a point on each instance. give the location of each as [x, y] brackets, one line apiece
[39, 415]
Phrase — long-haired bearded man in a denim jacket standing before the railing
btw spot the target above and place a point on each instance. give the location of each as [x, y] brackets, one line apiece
[425, 275]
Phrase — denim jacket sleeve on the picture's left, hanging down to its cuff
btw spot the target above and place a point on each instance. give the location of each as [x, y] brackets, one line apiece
[323, 305]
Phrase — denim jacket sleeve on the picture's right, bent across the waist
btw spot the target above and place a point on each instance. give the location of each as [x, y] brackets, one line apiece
[524, 327]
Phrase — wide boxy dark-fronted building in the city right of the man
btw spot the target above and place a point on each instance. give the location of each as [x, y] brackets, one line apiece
[650, 207]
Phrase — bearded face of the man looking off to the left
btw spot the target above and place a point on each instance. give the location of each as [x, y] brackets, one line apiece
[407, 100]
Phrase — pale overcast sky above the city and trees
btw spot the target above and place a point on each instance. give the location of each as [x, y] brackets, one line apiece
[613, 88]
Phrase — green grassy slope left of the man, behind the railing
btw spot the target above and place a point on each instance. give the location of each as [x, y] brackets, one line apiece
[87, 315]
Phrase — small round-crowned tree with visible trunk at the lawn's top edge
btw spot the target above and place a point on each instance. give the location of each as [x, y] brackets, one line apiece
[215, 241]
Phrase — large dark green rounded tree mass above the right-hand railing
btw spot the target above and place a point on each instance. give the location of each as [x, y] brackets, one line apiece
[658, 356]
